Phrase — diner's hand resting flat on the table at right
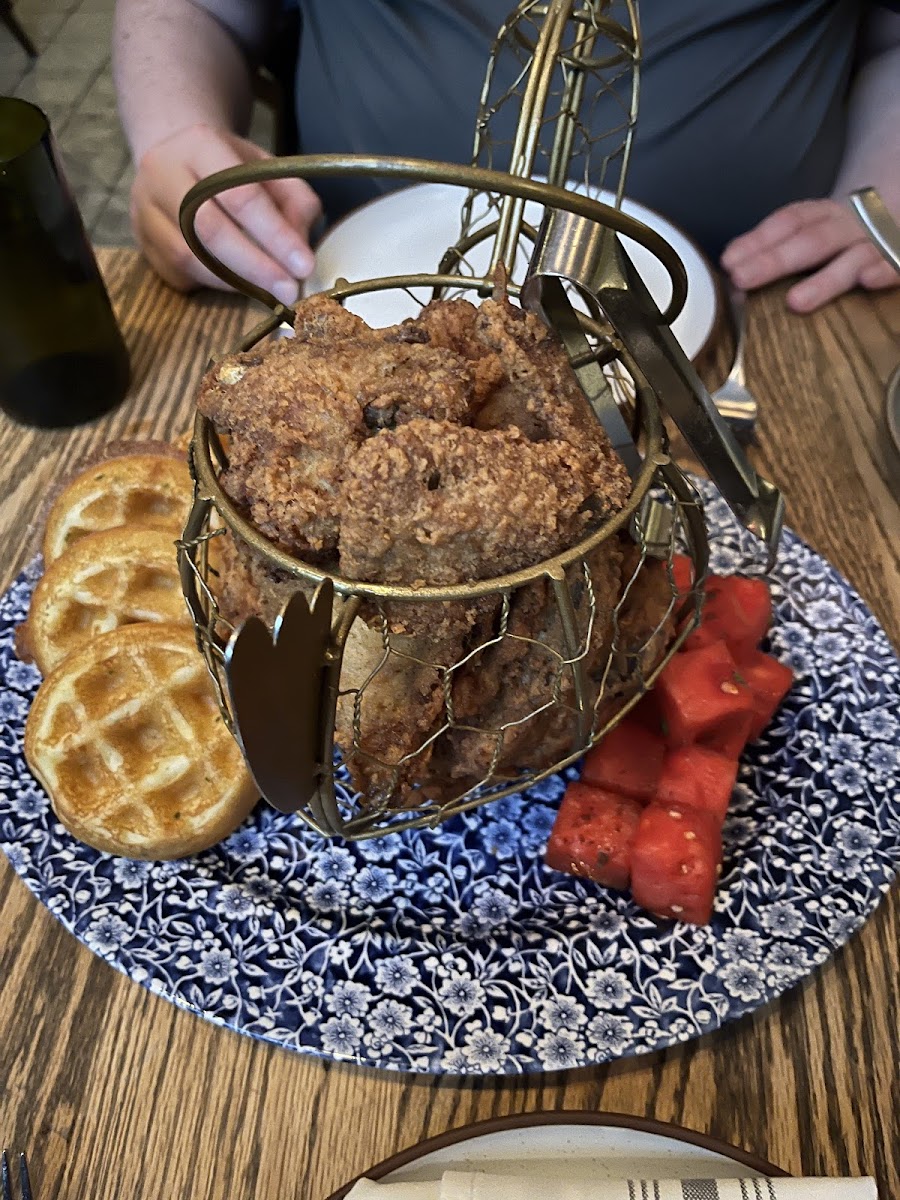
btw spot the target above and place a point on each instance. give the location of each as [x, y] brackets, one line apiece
[821, 237]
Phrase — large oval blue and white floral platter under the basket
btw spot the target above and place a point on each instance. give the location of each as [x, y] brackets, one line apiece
[457, 950]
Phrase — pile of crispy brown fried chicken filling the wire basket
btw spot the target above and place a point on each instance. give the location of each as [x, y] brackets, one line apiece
[453, 448]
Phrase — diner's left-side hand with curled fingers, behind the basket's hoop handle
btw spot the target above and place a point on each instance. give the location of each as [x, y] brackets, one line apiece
[261, 231]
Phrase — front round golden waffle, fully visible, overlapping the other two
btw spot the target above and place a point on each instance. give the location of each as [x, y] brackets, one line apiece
[128, 740]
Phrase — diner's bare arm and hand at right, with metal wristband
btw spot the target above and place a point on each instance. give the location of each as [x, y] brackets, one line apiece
[826, 237]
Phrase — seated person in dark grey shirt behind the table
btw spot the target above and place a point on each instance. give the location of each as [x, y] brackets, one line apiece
[757, 119]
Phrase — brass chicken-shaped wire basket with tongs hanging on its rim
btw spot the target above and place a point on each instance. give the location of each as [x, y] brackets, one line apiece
[286, 686]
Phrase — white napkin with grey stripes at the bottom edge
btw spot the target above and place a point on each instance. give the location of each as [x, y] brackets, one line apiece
[481, 1186]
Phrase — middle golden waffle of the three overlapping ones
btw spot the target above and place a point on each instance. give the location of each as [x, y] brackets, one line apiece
[105, 580]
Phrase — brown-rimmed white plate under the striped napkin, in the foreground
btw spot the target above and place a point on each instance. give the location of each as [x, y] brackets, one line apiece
[572, 1147]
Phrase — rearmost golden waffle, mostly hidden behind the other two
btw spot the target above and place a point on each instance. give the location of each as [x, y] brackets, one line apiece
[149, 490]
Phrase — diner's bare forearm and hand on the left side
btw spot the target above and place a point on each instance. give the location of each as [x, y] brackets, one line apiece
[183, 74]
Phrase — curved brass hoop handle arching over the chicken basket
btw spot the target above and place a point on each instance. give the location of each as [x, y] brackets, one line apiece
[419, 171]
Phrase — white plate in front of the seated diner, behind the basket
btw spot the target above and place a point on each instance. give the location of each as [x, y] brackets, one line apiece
[409, 231]
